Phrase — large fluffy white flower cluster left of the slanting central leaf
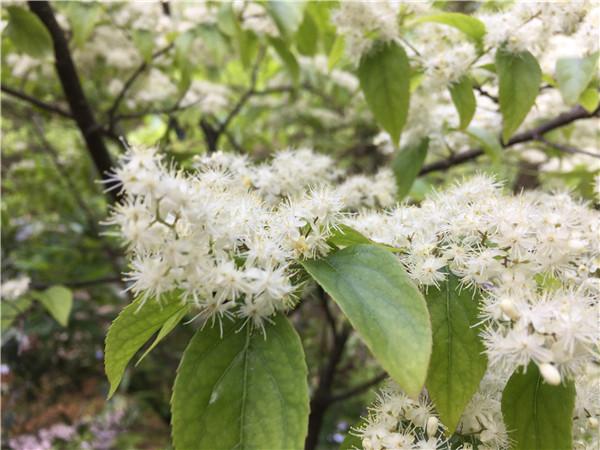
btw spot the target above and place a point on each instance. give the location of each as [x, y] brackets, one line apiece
[226, 235]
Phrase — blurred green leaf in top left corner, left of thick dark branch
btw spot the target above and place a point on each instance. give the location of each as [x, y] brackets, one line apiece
[27, 32]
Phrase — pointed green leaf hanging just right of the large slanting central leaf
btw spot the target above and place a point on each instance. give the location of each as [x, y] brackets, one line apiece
[457, 359]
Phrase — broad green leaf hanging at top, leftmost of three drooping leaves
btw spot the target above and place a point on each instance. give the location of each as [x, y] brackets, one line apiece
[384, 74]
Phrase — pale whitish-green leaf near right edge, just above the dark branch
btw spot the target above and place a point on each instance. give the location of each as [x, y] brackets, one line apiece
[573, 76]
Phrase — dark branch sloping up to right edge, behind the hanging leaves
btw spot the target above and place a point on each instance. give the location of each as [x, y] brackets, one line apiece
[561, 120]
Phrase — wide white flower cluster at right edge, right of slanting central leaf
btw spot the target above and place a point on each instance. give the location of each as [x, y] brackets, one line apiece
[535, 256]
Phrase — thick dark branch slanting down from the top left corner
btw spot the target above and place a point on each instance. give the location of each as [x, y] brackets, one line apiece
[80, 109]
